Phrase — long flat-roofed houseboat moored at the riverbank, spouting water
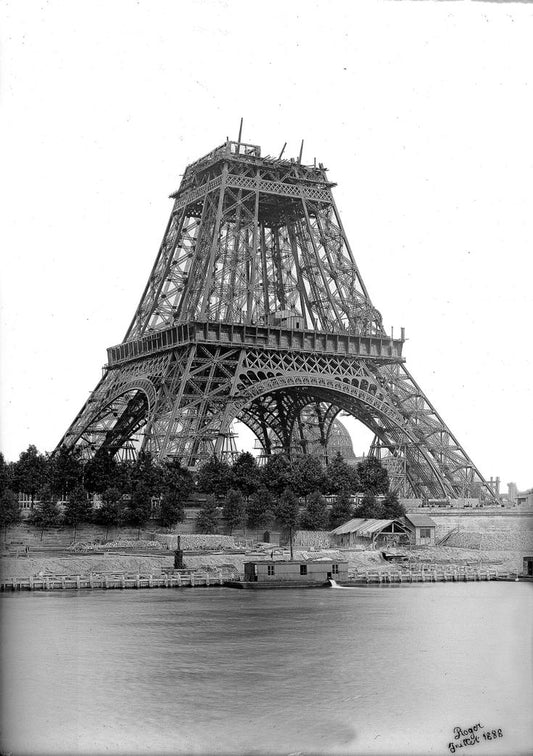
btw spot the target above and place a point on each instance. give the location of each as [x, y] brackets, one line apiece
[295, 573]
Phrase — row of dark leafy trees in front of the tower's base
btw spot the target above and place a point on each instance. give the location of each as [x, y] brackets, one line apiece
[65, 490]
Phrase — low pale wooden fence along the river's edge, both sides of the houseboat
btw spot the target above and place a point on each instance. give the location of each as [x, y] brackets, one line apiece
[191, 579]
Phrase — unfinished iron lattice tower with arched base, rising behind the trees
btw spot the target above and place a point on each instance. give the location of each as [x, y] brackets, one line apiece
[255, 309]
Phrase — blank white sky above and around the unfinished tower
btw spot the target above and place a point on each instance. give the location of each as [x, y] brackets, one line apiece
[422, 111]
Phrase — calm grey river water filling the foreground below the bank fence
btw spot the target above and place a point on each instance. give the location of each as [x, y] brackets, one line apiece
[378, 670]
